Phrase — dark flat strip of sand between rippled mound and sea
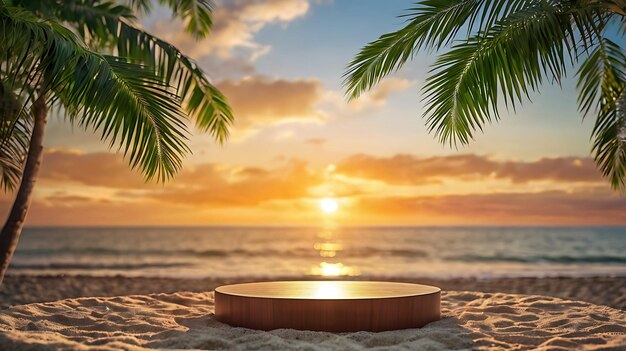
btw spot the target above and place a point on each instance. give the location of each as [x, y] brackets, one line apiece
[23, 289]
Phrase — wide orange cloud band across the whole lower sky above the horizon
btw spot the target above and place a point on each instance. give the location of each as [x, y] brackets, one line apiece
[212, 193]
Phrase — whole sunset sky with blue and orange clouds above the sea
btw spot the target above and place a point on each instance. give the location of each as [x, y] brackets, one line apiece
[297, 141]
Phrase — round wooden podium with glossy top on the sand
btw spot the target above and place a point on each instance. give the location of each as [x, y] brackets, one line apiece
[333, 306]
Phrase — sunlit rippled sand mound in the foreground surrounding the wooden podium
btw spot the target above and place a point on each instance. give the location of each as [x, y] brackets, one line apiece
[471, 320]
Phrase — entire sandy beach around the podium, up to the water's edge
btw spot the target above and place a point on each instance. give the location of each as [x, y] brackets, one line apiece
[508, 313]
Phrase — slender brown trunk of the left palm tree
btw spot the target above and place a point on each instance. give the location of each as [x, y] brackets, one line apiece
[12, 229]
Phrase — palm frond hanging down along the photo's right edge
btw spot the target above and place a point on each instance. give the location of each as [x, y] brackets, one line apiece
[602, 89]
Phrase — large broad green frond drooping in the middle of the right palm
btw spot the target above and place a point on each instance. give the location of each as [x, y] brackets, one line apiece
[513, 57]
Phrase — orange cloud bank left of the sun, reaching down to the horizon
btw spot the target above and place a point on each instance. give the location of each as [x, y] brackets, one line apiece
[206, 193]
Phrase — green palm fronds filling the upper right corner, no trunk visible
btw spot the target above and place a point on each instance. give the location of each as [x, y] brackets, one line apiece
[501, 51]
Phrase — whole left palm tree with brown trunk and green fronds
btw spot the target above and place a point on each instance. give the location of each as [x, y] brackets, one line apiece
[89, 60]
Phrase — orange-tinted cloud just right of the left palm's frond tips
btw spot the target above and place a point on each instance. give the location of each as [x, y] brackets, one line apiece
[259, 101]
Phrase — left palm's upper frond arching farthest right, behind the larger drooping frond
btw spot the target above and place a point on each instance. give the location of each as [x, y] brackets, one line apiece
[201, 100]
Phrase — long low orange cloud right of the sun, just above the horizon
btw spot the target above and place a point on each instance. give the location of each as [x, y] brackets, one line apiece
[585, 207]
